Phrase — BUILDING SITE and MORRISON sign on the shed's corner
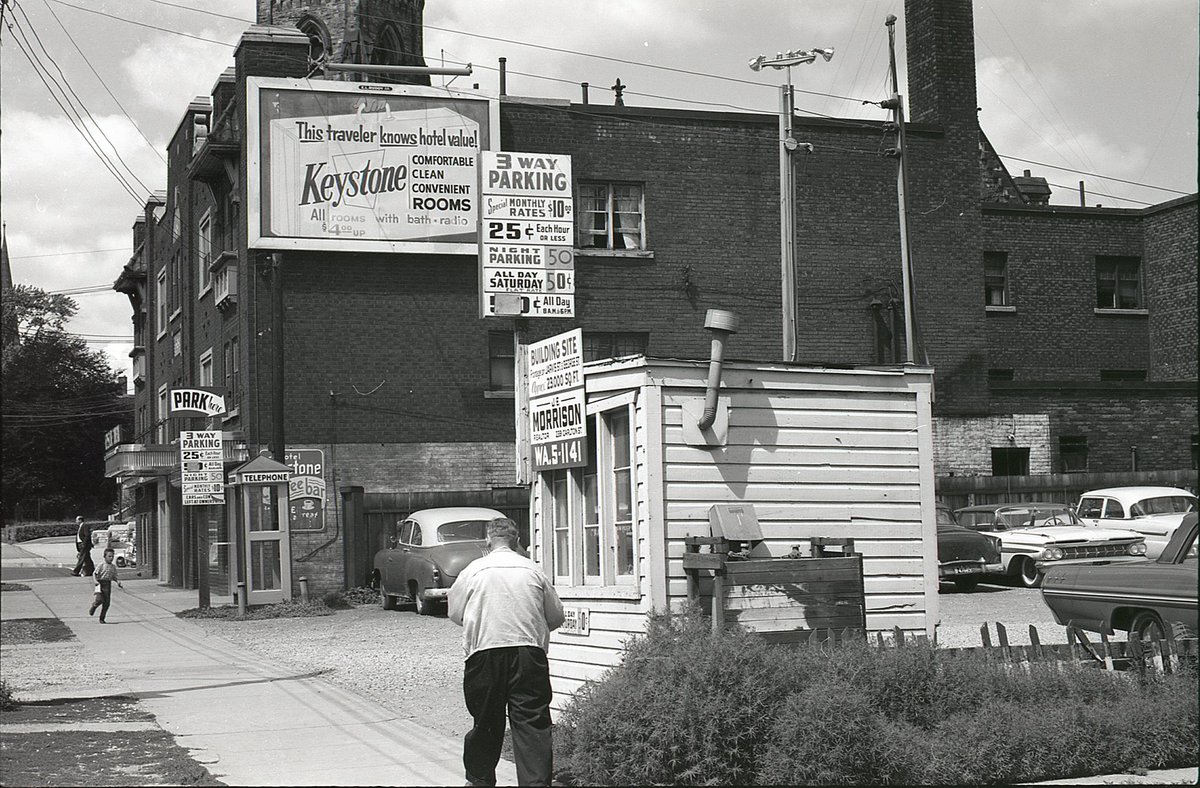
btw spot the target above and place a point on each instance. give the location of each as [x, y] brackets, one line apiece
[559, 432]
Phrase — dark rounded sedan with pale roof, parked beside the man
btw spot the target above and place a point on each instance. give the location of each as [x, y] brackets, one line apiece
[427, 552]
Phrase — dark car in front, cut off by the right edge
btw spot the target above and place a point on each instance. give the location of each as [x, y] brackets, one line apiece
[1144, 598]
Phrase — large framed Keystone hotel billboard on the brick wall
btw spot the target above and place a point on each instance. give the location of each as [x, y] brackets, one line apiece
[367, 167]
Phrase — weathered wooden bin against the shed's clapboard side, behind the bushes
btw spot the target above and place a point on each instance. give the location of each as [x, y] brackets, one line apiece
[782, 599]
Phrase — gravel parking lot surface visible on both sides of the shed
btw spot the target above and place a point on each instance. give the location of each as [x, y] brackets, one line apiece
[413, 664]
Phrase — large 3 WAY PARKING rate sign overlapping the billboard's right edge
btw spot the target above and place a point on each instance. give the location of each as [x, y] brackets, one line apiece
[527, 236]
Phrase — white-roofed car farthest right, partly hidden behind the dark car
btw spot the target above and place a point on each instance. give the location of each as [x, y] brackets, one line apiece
[1155, 513]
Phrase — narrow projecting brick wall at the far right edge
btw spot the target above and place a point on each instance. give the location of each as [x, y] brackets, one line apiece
[1171, 262]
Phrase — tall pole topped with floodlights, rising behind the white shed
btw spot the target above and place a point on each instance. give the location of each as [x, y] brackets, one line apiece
[788, 184]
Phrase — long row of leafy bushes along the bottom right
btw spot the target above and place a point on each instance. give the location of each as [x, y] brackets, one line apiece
[687, 707]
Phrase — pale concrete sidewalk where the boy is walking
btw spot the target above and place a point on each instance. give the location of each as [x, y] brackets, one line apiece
[250, 724]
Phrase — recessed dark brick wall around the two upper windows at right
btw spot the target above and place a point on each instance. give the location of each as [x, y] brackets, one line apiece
[1055, 334]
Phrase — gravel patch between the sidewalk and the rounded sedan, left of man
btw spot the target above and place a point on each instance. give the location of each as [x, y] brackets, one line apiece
[410, 664]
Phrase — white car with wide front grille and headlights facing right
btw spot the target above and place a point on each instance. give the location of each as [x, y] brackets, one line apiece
[1035, 537]
